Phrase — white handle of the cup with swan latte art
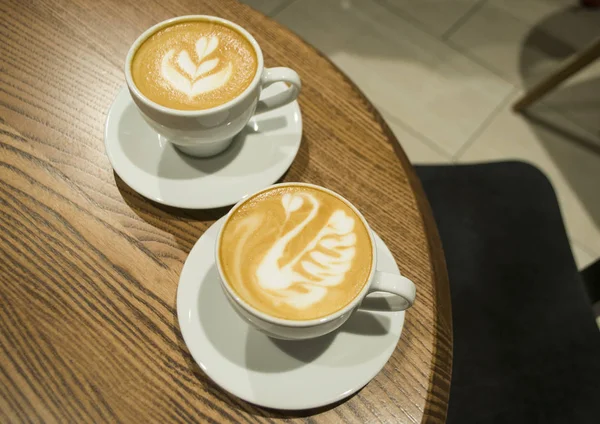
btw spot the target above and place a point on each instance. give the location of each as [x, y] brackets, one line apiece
[402, 288]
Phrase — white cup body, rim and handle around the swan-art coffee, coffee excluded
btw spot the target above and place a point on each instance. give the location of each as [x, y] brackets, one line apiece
[402, 289]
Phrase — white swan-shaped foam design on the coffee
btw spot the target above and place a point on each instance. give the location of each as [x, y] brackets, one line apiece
[321, 264]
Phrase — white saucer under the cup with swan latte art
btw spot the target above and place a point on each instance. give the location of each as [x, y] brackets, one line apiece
[275, 373]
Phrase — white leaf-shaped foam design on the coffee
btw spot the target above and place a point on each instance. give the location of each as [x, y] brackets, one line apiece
[193, 82]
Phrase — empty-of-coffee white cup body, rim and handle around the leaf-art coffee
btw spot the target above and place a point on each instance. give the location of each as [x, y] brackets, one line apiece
[208, 132]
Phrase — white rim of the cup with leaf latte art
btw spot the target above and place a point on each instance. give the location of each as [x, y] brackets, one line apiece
[225, 106]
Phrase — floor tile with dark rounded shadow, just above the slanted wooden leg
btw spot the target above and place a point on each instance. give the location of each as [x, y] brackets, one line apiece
[525, 40]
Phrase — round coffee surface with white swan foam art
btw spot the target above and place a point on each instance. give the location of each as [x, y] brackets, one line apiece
[296, 252]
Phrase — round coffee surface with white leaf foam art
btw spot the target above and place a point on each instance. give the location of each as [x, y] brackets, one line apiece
[194, 65]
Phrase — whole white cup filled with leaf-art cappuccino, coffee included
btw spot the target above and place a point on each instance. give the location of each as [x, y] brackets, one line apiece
[198, 80]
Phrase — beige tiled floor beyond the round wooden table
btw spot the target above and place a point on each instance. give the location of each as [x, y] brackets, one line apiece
[444, 74]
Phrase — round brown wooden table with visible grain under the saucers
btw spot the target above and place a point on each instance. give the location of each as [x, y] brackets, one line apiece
[89, 269]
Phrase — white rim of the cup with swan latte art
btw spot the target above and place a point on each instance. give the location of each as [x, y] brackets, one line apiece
[290, 322]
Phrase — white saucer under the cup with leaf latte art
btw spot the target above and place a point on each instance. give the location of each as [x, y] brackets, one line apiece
[258, 157]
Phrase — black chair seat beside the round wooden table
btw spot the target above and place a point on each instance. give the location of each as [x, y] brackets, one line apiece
[526, 345]
